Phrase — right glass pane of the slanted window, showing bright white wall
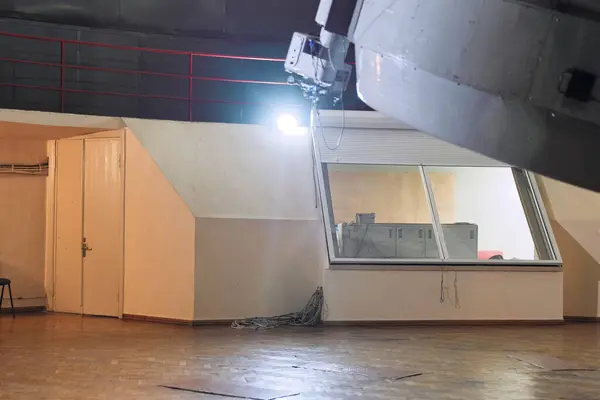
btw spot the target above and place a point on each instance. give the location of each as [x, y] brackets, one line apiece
[481, 214]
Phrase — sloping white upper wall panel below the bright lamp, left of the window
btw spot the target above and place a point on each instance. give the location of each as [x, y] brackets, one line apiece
[233, 171]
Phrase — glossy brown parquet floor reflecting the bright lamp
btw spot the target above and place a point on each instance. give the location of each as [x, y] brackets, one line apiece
[66, 357]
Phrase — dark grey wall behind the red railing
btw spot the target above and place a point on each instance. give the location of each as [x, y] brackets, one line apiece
[226, 102]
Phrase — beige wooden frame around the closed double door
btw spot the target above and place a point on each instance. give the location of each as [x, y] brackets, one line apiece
[51, 196]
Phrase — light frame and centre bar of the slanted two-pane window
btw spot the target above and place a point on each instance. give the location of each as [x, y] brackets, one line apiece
[537, 204]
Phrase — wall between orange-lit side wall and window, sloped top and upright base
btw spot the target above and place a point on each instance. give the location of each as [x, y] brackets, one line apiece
[259, 242]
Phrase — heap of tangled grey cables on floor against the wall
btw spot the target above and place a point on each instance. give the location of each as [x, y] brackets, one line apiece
[310, 315]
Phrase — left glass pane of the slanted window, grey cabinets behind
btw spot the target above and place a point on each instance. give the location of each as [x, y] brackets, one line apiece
[380, 212]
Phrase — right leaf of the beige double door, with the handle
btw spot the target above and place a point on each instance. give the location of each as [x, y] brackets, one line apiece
[102, 227]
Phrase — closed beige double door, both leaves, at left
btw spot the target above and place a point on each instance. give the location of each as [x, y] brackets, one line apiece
[89, 213]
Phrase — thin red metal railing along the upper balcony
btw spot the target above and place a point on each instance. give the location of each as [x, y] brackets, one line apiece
[190, 77]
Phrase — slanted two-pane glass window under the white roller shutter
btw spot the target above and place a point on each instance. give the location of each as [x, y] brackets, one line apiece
[476, 215]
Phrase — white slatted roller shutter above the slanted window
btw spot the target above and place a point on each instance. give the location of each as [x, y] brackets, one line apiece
[370, 138]
